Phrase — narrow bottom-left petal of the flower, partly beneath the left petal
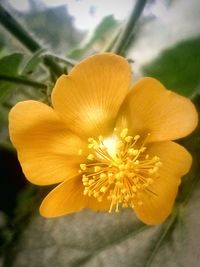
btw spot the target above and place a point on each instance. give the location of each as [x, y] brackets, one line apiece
[68, 198]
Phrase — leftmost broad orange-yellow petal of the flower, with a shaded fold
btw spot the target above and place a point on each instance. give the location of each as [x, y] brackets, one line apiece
[47, 151]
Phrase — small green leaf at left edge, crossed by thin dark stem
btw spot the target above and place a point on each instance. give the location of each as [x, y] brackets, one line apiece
[9, 65]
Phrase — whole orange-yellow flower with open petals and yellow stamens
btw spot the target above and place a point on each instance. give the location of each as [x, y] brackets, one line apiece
[109, 147]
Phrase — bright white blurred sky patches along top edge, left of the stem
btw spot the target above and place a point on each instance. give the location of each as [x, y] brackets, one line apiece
[87, 13]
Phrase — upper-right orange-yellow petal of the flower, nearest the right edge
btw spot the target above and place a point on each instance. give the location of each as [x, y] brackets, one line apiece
[150, 108]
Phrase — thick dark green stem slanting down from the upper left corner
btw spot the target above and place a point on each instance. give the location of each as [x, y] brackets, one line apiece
[25, 38]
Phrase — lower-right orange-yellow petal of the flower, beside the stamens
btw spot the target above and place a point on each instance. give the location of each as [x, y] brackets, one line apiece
[158, 204]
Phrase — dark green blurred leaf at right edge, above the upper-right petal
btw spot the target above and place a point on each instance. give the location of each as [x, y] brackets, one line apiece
[178, 67]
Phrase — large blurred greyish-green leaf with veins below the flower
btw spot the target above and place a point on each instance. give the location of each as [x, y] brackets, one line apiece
[88, 239]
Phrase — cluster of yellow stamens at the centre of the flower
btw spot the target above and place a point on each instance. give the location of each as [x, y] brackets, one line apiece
[119, 169]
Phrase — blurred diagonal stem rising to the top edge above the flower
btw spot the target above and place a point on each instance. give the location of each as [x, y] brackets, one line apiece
[130, 27]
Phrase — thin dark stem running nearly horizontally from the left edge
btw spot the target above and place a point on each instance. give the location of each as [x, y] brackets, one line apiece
[21, 80]
